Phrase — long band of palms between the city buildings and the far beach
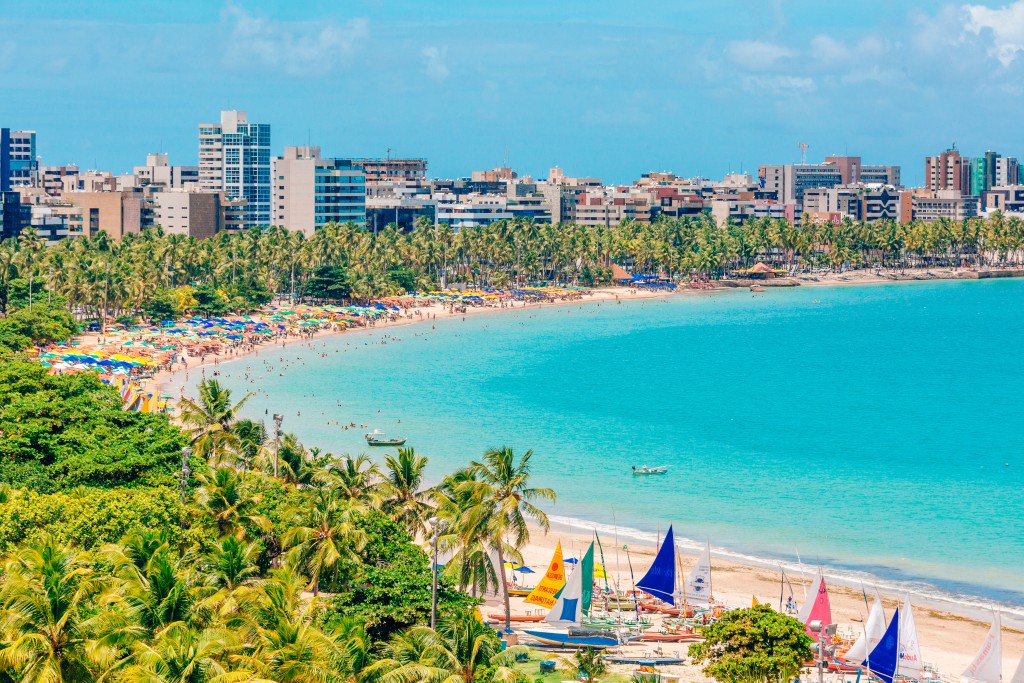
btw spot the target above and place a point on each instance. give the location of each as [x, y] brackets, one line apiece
[236, 272]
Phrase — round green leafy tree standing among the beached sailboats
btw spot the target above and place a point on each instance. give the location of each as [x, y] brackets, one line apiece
[753, 646]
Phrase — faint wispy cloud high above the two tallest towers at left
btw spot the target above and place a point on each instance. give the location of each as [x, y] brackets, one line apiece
[297, 49]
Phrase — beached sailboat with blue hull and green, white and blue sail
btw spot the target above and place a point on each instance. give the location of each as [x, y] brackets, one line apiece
[567, 615]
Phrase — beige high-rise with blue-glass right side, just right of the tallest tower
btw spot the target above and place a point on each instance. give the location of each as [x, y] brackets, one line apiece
[311, 192]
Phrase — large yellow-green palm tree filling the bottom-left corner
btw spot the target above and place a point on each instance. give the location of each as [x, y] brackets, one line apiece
[50, 628]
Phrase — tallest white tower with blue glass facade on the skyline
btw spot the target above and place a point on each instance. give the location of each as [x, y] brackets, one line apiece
[235, 158]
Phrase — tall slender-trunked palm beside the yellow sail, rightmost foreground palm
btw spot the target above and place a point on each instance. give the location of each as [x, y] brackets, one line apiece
[504, 500]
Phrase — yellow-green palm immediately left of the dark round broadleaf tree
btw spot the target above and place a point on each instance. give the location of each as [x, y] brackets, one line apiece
[325, 534]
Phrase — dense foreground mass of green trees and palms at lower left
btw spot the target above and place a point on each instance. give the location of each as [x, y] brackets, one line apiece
[275, 565]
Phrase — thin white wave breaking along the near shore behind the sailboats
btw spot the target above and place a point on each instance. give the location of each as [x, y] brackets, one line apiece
[974, 601]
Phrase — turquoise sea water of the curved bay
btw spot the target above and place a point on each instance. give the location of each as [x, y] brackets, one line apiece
[876, 431]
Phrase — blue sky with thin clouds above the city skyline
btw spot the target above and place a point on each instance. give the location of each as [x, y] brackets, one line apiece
[612, 90]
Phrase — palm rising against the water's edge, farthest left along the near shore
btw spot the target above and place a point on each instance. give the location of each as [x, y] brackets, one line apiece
[212, 419]
